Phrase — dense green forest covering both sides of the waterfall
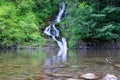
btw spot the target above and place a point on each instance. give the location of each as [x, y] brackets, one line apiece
[84, 21]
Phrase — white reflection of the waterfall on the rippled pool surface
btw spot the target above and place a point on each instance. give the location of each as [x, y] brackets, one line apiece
[54, 61]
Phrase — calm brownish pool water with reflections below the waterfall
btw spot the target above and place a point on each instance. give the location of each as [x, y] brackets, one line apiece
[42, 64]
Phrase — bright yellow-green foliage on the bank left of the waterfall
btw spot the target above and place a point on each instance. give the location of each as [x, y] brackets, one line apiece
[19, 23]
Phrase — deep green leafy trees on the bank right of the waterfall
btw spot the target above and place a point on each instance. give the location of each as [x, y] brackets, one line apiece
[91, 21]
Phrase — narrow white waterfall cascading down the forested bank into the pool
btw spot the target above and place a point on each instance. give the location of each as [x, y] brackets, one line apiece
[52, 31]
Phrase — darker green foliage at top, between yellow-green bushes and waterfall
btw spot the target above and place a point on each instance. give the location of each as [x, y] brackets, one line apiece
[45, 9]
